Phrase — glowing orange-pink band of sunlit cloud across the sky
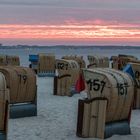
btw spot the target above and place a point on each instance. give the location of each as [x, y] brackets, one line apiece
[72, 32]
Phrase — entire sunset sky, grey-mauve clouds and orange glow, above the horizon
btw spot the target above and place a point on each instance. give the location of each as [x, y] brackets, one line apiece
[70, 22]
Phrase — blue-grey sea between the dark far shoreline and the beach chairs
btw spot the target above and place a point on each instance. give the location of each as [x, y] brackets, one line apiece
[59, 51]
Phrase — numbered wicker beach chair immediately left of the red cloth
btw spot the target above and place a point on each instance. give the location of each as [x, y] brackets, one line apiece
[67, 75]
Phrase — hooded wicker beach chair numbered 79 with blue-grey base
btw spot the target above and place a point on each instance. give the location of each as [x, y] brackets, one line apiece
[21, 82]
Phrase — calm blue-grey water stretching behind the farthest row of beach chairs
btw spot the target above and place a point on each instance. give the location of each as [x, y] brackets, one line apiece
[24, 53]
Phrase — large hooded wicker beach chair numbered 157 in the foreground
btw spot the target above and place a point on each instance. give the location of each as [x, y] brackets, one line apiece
[107, 109]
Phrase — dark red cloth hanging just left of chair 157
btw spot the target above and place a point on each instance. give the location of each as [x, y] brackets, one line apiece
[80, 84]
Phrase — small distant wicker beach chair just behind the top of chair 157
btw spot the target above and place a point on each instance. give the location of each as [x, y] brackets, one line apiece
[98, 61]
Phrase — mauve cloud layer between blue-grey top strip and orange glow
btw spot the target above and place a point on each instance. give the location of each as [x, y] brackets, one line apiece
[43, 15]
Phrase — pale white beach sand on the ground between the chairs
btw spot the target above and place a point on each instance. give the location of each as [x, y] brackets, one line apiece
[57, 118]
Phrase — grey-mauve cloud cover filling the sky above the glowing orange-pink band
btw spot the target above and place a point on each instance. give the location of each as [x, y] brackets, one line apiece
[59, 11]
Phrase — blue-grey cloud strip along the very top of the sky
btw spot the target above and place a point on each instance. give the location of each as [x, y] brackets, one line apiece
[83, 4]
